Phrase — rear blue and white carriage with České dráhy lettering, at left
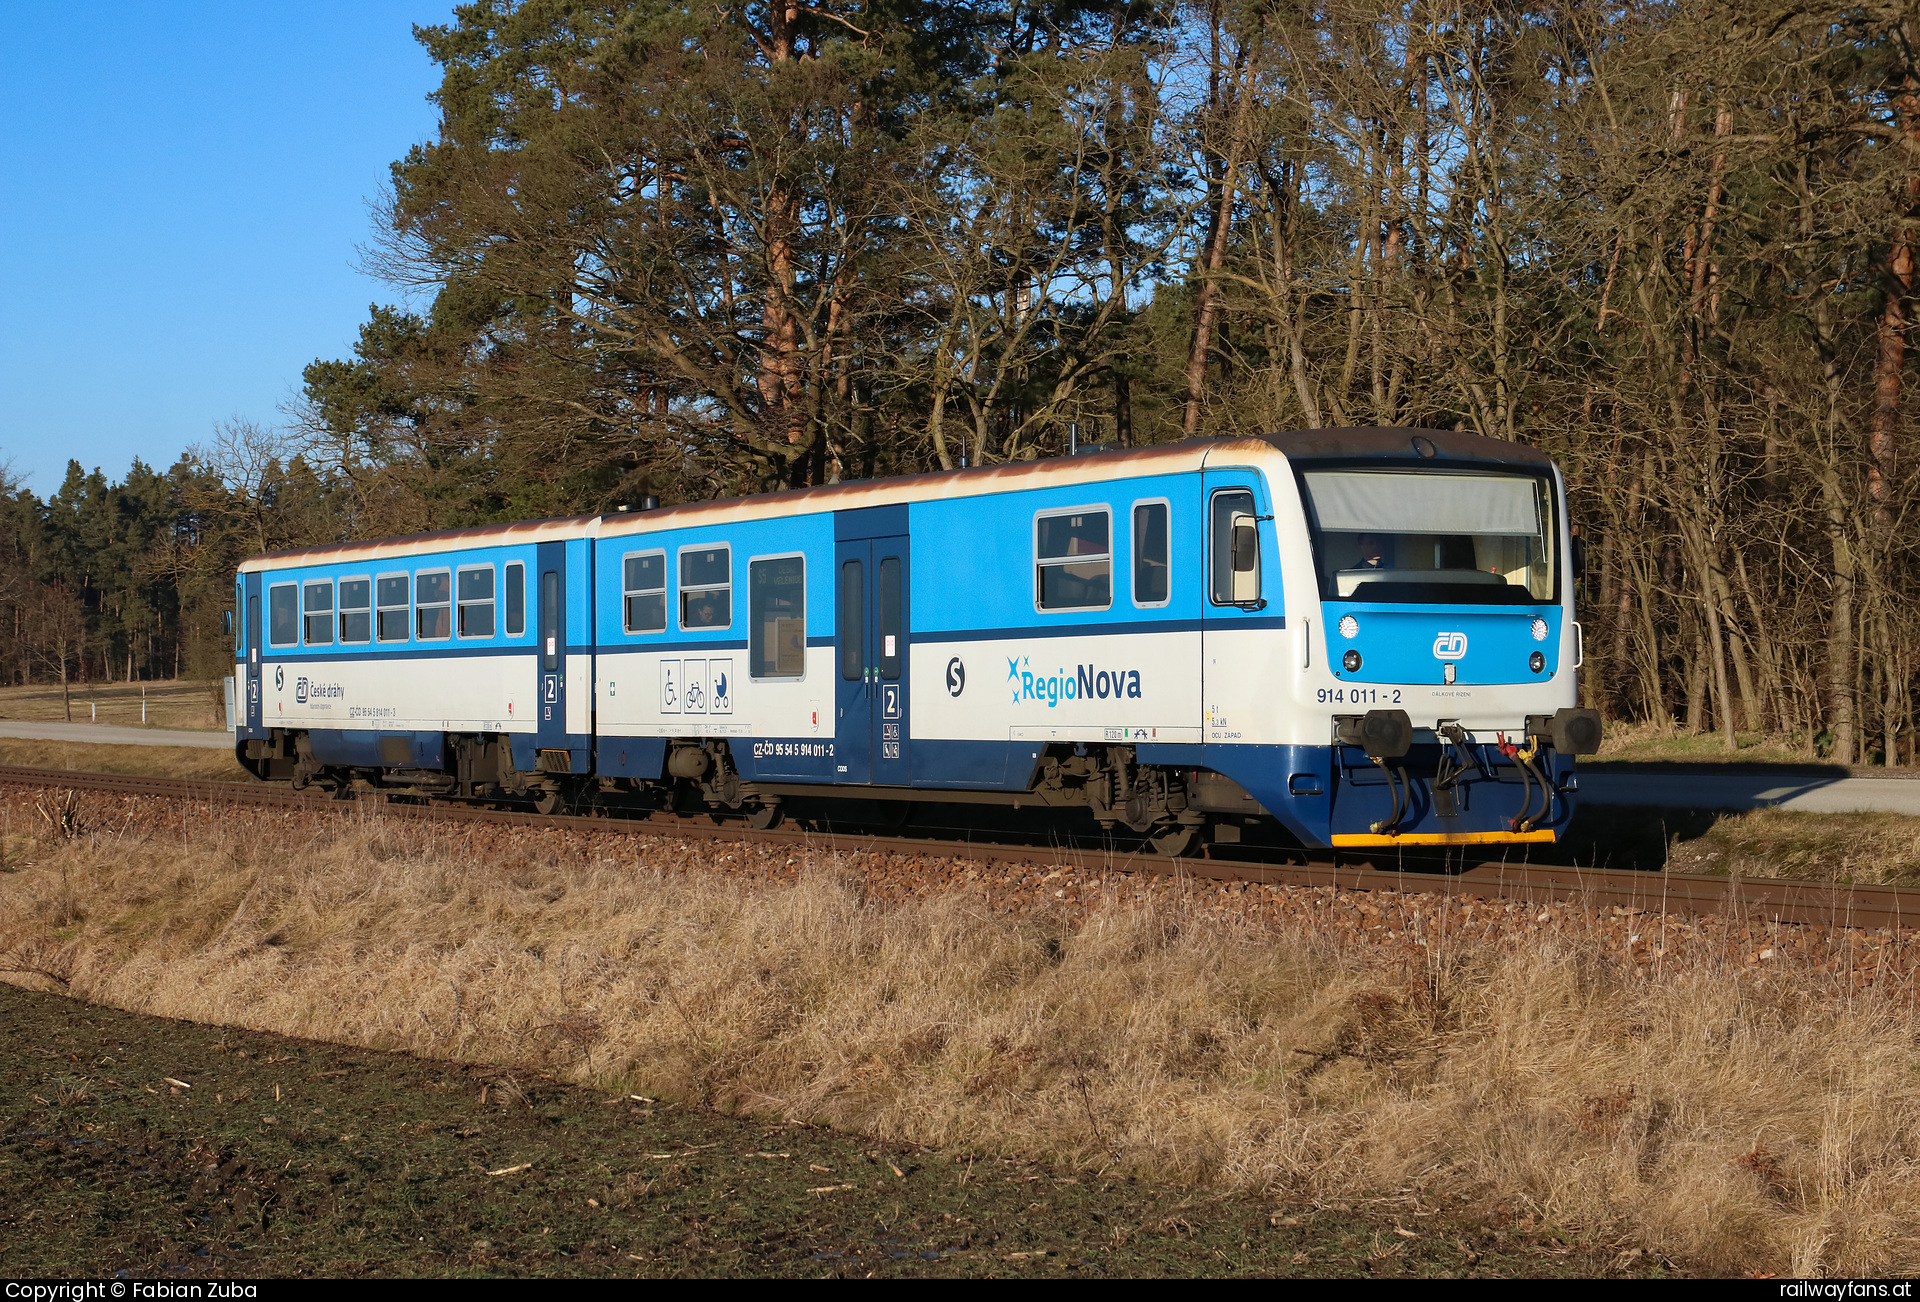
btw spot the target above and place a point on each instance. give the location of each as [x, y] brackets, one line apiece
[427, 660]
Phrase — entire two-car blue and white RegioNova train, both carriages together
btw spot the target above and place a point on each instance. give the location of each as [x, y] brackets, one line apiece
[1355, 639]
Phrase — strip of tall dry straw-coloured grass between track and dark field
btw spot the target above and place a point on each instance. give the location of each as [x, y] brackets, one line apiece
[1725, 1115]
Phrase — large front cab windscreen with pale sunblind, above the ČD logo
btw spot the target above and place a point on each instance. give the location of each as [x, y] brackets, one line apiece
[1424, 537]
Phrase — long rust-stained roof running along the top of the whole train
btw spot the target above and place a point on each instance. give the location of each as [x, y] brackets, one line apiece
[1193, 454]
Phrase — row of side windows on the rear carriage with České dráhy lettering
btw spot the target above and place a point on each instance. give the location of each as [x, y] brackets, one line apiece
[429, 606]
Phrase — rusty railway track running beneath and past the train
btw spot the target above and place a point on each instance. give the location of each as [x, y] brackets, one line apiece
[1760, 900]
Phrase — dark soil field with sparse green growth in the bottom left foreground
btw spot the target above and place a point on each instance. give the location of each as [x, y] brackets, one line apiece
[299, 1159]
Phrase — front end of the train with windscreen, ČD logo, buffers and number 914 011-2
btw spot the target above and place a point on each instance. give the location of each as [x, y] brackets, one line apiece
[1443, 708]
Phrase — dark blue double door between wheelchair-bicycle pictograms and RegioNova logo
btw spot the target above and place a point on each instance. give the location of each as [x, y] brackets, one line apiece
[871, 685]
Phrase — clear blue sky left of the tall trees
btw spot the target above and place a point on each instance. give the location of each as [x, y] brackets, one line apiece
[181, 195]
